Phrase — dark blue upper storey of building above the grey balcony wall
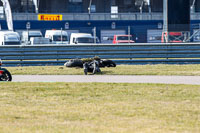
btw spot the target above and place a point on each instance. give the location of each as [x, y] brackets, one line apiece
[102, 6]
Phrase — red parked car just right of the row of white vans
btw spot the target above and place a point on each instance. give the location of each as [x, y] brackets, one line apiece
[122, 39]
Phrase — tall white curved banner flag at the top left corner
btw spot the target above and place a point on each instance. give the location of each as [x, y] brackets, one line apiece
[8, 13]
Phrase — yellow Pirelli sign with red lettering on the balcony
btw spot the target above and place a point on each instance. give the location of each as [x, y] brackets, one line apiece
[50, 17]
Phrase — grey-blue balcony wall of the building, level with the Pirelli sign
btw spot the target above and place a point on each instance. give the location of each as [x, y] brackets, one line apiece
[95, 16]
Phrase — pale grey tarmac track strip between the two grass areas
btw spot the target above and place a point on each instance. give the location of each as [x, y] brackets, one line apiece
[194, 80]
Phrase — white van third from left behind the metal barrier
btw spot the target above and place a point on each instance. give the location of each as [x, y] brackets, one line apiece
[57, 36]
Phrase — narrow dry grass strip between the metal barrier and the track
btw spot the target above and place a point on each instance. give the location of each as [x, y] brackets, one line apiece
[119, 70]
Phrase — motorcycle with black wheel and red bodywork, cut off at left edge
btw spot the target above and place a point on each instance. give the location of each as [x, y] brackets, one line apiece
[4, 74]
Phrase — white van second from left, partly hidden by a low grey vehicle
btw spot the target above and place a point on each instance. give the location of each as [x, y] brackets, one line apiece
[26, 35]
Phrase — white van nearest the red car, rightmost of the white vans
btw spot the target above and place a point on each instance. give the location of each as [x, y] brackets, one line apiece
[82, 38]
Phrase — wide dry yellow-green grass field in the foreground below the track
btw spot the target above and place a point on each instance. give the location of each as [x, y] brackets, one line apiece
[98, 108]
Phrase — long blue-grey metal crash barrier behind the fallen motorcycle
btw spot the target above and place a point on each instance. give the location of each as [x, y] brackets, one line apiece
[178, 53]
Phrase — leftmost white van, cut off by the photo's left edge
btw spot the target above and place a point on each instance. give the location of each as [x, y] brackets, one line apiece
[9, 38]
